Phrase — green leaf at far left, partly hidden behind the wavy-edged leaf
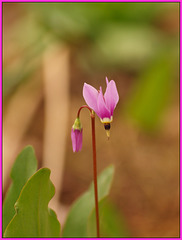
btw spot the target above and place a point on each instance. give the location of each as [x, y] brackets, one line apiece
[24, 167]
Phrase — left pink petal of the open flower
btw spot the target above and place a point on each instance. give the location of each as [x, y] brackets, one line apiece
[90, 95]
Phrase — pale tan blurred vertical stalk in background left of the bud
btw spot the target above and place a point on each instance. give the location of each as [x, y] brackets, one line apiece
[56, 89]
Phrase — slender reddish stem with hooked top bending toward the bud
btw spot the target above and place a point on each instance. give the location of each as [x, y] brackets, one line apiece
[94, 164]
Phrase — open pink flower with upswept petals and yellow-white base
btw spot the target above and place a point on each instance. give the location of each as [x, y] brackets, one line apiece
[103, 105]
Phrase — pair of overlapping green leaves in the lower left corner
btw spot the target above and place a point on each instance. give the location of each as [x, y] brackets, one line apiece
[25, 205]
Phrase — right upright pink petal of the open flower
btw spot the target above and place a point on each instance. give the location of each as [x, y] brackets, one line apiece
[111, 96]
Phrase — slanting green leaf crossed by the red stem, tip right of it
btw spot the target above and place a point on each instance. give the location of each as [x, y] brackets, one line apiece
[76, 224]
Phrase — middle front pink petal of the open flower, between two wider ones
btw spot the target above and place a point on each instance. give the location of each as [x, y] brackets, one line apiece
[103, 111]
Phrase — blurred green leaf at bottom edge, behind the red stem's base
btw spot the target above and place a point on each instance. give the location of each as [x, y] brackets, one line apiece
[112, 224]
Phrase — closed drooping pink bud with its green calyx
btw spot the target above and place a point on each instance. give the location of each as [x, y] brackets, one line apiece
[76, 135]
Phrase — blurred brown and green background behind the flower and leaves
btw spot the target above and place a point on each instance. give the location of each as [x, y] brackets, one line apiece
[49, 51]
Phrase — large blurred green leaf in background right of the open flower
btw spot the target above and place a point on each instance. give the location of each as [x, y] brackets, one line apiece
[153, 90]
